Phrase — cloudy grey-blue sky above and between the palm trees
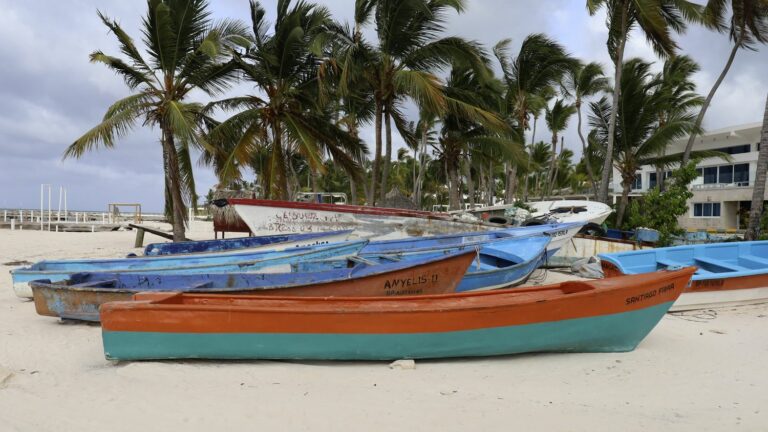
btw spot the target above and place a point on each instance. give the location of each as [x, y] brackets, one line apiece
[50, 94]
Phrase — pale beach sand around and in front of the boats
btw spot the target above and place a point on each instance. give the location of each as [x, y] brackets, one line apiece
[697, 371]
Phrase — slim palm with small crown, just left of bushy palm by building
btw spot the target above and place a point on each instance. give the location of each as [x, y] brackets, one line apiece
[579, 83]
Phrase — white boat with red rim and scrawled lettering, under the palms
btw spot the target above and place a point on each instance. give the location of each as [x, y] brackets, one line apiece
[270, 217]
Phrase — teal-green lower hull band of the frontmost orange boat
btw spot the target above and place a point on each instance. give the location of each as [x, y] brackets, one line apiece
[609, 333]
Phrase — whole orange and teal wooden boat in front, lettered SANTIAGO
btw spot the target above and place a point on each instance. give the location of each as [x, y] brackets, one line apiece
[606, 315]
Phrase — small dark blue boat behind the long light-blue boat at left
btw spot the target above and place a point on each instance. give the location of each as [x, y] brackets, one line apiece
[272, 242]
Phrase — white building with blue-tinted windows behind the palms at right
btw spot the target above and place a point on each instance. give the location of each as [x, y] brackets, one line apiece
[722, 194]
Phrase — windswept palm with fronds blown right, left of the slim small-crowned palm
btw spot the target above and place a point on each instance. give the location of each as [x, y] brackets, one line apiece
[539, 65]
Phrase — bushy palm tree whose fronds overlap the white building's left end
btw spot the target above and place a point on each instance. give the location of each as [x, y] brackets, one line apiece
[640, 134]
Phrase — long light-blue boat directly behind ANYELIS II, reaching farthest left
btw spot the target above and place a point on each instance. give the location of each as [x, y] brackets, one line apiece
[196, 263]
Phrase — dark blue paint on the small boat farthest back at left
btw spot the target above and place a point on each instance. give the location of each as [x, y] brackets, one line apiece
[204, 246]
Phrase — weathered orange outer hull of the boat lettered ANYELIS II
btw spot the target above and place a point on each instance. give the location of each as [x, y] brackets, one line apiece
[439, 276]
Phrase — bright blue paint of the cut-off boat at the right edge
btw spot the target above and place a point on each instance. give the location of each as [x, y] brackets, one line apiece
[714, 260]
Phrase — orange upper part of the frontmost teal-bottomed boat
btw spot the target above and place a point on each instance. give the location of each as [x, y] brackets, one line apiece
[188, 313]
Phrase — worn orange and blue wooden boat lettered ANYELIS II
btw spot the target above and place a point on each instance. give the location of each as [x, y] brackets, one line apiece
[80, 296]
